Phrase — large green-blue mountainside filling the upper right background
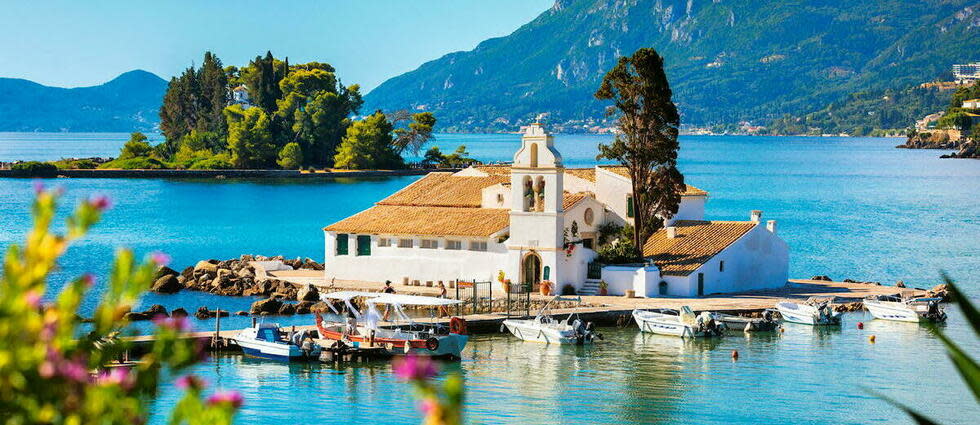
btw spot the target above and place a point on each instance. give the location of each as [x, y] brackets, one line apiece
[727, 60]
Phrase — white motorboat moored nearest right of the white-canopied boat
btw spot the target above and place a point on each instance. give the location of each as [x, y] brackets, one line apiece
[545, 328]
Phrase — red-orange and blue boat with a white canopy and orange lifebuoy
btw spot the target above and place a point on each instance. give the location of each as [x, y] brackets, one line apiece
[404, 335]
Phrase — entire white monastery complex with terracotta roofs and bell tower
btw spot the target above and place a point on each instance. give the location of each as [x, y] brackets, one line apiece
[535, 221]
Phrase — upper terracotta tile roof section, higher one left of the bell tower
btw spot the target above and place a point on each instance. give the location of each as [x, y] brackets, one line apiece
[444, 190]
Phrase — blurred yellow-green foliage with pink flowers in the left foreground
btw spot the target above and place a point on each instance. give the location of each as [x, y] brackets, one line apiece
[55, 369]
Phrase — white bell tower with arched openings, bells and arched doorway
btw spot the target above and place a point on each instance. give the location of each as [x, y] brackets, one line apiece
[536, 215]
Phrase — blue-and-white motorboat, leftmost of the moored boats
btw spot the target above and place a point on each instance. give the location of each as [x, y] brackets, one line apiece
[266, 340]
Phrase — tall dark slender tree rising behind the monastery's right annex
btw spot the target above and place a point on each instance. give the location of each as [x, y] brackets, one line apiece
[647, 143]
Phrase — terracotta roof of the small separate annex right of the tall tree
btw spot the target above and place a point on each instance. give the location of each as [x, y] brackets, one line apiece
[695, 244]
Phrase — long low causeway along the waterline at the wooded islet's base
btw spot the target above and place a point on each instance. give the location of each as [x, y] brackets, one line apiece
[222, 174]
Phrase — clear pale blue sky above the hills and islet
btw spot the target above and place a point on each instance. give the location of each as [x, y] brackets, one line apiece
[79, 43]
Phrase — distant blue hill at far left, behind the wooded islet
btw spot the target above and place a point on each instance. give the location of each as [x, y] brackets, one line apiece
[130, 102]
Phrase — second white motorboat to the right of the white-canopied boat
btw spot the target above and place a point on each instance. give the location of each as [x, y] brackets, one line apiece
[683, 323]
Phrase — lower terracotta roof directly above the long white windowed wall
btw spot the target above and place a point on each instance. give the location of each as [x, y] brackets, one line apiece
[416, 220]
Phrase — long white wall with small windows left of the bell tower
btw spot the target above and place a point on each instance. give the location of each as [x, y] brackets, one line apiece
[417, 263]
